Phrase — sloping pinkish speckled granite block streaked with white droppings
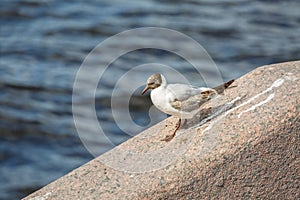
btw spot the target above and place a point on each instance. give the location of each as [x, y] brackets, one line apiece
[245, 145]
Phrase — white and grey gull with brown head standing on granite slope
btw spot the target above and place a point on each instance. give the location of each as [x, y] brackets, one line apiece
[179, 100]
